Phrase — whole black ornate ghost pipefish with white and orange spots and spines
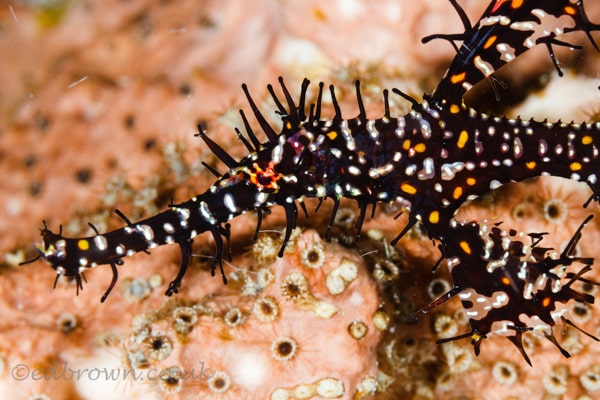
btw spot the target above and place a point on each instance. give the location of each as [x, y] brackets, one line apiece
[426, 163]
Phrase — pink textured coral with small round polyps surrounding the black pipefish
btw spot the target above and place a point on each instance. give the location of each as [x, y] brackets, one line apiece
[98, 111]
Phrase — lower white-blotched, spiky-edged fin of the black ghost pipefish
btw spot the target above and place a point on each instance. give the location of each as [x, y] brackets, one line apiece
[515, 285]
